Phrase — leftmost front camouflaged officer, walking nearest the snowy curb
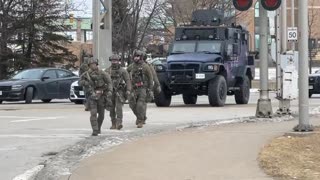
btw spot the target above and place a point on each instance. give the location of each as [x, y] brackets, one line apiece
[99, 87]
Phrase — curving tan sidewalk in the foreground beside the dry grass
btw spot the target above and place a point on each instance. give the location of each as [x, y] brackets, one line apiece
[226, 152]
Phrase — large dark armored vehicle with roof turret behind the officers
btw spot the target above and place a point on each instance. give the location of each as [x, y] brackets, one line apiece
[209, 58]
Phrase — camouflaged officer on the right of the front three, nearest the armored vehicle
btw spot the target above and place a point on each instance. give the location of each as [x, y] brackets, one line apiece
[142, 84]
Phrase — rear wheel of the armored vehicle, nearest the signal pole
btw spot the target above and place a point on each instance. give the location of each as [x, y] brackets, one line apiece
[242, 96]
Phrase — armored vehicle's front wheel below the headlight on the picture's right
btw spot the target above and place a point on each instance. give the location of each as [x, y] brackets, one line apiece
[217, 91]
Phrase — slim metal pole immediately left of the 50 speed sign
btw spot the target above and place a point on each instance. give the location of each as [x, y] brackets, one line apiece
[284, 39]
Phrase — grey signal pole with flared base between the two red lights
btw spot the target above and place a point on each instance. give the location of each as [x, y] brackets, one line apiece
[264, 108]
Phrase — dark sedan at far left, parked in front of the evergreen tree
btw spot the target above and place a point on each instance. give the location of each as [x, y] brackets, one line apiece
[39, 83]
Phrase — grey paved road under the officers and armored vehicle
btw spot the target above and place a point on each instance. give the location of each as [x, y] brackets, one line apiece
[31, 134]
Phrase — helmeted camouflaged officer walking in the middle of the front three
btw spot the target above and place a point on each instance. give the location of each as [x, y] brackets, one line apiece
[121, 90]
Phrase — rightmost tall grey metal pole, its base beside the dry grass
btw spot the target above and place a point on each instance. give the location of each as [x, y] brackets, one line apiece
[304, 124]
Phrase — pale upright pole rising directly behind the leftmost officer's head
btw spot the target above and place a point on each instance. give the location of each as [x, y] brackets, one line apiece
[96, 27]
